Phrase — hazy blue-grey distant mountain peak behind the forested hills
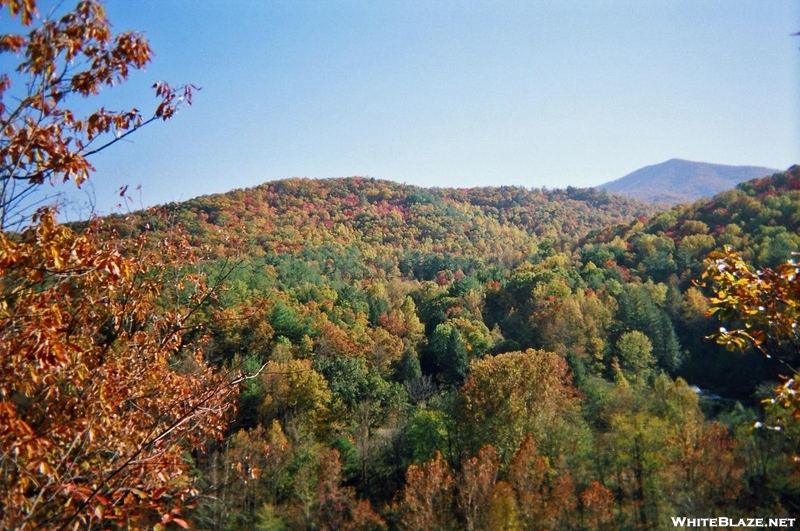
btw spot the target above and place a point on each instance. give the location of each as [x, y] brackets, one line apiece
[682, 181]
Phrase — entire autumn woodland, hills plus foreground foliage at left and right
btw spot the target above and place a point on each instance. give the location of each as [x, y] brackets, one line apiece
[358, 354]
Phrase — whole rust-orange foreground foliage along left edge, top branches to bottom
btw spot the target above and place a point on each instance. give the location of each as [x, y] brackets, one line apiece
[102, 391]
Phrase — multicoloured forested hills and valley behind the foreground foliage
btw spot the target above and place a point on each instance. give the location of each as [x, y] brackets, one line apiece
[493, 358]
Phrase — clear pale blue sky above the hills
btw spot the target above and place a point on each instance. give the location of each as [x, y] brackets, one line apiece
[454, 93]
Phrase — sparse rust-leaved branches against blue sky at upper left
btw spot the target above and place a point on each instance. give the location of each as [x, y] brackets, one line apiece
[43, 136]
